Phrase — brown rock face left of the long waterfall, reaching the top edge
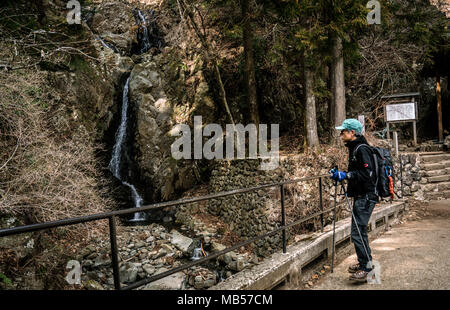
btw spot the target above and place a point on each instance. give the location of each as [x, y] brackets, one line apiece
[92, 89]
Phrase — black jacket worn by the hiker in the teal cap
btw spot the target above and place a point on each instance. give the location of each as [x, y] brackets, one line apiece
[361, 172]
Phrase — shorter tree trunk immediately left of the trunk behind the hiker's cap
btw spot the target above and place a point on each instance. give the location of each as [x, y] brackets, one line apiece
[311, 119]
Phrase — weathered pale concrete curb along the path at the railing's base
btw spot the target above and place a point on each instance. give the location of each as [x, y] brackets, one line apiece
[287, 267]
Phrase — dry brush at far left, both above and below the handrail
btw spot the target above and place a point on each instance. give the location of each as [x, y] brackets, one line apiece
[48, 171]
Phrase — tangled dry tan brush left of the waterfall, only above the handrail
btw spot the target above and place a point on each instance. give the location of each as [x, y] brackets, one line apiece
[45, 175]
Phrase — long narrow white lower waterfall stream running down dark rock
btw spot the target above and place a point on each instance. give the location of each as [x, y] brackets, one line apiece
[116, 159]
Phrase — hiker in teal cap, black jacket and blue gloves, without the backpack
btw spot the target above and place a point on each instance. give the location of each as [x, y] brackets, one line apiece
[361, 178]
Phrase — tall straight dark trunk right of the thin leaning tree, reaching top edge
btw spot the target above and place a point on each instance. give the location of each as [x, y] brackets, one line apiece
[249, 65]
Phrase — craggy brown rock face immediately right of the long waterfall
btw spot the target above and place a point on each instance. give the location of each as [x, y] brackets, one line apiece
[157, 89]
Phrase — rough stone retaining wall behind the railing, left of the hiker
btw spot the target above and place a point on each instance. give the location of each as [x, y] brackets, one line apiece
[255, 213]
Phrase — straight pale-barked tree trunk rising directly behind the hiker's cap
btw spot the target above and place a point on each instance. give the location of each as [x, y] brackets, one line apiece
[337, 86]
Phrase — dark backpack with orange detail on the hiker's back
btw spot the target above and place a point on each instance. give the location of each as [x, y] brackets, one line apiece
[384, 170]
